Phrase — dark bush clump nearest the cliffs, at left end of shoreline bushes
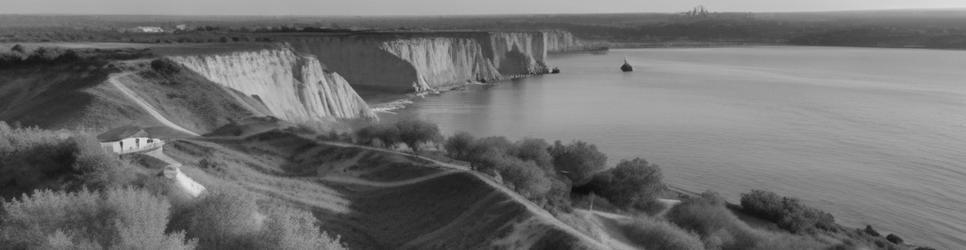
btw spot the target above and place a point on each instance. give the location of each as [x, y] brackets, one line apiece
[413, 133]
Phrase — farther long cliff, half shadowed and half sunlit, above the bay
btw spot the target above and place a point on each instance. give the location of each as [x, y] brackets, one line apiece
[424, 61]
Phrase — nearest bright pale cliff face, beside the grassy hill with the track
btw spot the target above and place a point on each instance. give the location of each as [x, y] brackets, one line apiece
[292, 87]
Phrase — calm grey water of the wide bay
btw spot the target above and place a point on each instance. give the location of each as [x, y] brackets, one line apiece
[875, 136]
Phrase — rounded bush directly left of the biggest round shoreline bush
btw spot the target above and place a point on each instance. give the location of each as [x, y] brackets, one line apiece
[578, 160]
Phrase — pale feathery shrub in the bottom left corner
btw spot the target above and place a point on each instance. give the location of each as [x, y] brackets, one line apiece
[119, 218]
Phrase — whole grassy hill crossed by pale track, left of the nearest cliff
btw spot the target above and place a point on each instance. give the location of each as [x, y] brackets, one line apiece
[80, 93]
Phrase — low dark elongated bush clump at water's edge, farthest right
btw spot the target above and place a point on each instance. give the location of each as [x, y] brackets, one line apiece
[789, 213]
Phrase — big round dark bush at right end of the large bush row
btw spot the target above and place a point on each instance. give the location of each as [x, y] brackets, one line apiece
[632, 184]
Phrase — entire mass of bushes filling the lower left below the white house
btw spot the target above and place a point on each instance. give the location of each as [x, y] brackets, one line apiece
[86, 198]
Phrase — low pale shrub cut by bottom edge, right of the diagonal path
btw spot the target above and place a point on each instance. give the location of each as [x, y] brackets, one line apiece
[656, 234]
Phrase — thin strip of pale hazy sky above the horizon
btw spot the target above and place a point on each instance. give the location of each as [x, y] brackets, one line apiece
[442, 7]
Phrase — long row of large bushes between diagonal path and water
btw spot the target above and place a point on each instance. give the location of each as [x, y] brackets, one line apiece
[532, 164]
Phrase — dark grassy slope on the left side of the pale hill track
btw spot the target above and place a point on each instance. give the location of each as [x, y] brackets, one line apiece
[64, 95]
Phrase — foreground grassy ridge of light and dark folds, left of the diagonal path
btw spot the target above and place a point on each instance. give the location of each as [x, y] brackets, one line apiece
[375, 199]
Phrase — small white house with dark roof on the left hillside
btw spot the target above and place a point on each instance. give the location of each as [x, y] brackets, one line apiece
[128, 139]
